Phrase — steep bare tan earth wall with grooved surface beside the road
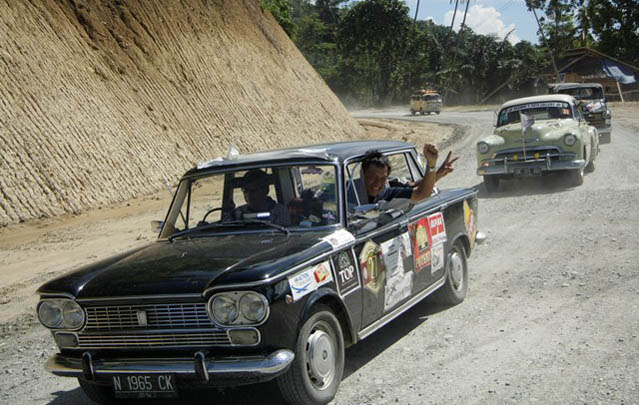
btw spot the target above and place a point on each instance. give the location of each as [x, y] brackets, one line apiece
[102, 101]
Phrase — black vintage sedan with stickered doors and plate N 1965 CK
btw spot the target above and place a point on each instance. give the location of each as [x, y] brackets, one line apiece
[230, 295]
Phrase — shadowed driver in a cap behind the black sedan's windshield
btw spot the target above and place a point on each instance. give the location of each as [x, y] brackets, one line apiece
[255, 187]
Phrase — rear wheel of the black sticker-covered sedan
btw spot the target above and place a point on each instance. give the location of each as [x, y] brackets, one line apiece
[454, 289]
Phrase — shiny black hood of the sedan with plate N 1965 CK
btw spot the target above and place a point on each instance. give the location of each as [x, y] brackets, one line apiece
[189, 266]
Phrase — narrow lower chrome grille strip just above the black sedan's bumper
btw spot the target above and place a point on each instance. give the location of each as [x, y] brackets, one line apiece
[215, 337]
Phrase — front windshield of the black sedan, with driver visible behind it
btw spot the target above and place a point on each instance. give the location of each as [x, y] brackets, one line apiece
[280, 198]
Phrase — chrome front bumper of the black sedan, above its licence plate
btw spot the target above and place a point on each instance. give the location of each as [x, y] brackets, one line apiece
[253, 368]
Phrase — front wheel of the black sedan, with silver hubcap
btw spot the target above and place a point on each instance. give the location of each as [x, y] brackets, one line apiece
[318, 367]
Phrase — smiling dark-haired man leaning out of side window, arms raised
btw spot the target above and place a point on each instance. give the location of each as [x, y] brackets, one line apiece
[376, 168]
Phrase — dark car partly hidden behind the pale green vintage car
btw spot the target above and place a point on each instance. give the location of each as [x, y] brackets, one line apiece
[593, 102]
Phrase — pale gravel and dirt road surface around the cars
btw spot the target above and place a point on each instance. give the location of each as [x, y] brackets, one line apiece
[551, 315]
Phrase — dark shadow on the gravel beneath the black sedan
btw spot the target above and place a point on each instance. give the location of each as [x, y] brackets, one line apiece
[266, 394]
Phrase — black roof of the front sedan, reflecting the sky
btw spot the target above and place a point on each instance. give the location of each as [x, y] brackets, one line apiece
[336, 152]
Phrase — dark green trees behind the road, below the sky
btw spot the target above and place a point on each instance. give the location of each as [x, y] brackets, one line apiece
[372, 52]
